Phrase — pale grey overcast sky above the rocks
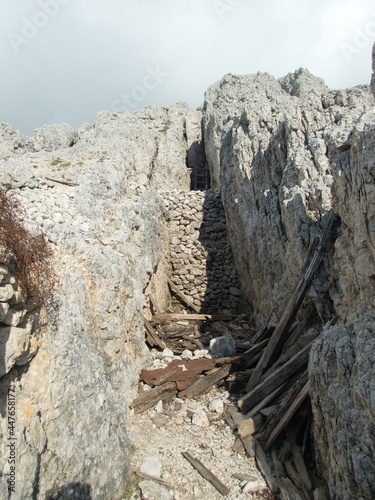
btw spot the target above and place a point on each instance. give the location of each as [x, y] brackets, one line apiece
[64, 60]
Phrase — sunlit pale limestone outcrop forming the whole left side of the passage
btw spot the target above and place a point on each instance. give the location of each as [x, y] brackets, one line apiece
[97, 204]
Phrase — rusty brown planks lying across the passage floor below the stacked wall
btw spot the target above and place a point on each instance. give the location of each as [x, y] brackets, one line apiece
[188, 377]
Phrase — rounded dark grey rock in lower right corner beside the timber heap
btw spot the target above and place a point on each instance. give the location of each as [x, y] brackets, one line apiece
[344, 412]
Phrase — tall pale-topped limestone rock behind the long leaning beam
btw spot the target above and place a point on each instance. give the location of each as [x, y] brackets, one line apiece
[276, 159]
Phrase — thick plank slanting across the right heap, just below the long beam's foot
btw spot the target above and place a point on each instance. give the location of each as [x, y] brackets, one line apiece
[275, 379]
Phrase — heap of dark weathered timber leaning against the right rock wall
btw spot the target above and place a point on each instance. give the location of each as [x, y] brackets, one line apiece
[276, 402]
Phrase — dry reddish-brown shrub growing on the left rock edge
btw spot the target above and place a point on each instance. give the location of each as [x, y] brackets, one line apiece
[30, 254]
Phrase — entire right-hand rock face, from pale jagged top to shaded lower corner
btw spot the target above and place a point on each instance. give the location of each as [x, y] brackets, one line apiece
[283, 154]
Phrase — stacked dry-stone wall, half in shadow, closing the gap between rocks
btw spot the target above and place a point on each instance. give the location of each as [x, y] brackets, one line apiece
[200, 256]
